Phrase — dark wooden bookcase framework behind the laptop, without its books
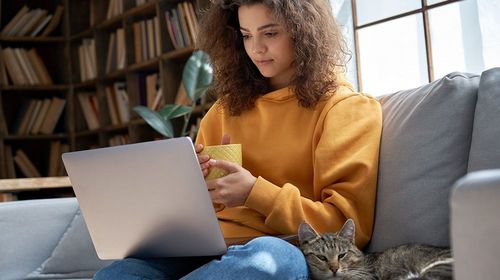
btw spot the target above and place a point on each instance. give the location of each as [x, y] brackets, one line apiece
[60, 53]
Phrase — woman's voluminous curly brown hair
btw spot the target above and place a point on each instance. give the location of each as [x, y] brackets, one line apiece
[320, 51]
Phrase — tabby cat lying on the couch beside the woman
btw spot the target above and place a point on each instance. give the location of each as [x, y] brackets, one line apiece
[334, 256]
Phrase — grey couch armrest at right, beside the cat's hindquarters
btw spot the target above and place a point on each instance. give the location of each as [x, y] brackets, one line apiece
[475, 225]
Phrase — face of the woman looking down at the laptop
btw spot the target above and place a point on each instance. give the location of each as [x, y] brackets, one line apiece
[268, 44]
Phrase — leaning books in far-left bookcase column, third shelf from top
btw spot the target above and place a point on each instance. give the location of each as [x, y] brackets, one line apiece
[38, 116]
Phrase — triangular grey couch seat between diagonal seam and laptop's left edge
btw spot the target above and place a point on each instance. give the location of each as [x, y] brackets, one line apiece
[73, 257]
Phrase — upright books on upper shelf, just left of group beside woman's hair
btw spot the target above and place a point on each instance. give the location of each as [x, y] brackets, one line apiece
[146, 39]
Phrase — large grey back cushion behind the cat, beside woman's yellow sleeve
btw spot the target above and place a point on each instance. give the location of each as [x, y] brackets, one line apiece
[424, 149]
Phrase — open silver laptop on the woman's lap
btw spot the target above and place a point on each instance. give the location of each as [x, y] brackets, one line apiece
[145, 200]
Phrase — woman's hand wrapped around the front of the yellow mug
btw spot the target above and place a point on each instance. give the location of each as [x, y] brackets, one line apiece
[233, 189]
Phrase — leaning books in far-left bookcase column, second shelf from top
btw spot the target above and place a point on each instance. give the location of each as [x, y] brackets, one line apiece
[24, 67]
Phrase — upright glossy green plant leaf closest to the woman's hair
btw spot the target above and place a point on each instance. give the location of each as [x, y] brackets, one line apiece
[197, 73]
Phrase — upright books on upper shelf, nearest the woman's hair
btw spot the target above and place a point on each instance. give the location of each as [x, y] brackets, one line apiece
[182, 25]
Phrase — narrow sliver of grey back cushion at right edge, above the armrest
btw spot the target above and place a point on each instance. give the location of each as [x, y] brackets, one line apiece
[485, 150]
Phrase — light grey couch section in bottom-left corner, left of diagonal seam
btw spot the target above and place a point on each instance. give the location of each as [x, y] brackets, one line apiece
[29, 232]
